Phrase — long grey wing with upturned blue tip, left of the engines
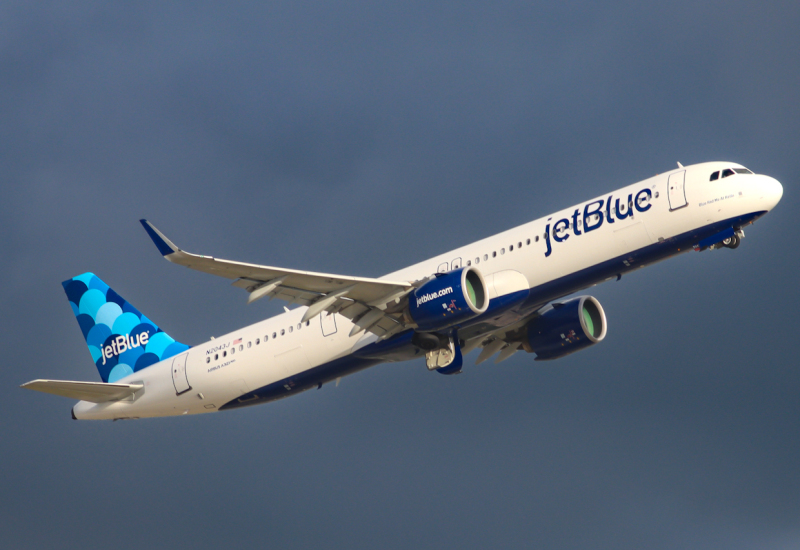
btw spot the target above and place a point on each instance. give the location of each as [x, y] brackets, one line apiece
[373, 305]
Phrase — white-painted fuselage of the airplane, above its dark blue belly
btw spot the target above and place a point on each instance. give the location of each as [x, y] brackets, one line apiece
[544, 251]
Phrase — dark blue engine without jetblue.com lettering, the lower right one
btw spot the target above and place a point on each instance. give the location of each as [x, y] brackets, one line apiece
[566, 328]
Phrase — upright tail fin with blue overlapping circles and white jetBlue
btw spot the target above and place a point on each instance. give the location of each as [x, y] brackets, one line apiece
[121, 340]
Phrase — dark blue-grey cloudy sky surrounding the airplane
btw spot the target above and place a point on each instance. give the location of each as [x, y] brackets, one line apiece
[357, 138]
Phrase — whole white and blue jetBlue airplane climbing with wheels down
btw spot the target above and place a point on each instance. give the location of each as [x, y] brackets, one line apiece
[503, 294]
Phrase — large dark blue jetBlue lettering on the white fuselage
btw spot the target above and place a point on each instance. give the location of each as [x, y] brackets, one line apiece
[594, 214]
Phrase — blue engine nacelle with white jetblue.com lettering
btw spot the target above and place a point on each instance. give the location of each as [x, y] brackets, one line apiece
[448, 299]
